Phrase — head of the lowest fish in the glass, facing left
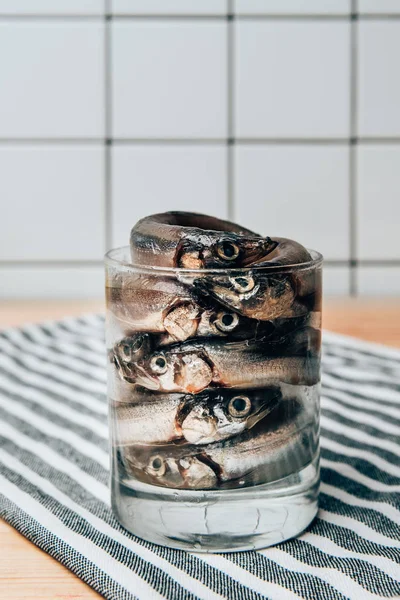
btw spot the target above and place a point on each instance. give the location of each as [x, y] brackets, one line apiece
[161, 467]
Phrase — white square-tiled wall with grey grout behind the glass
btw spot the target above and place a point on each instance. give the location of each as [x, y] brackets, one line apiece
[172, 104]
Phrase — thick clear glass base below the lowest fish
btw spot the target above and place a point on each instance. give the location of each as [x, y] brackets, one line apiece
[219, 521]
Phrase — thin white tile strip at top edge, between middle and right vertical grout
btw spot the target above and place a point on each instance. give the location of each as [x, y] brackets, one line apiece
[292, 7]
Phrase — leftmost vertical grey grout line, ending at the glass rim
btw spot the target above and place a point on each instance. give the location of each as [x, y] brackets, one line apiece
[107, 129]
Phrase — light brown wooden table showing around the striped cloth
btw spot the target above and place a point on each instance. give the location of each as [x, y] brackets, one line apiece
[27, 573]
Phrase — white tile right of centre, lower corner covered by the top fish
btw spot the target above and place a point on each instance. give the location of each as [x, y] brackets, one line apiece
[299, 192]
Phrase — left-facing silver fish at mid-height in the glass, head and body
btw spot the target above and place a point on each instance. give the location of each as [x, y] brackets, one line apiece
[194, 366]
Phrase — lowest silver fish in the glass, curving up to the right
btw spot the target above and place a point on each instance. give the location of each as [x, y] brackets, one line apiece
[275, 448]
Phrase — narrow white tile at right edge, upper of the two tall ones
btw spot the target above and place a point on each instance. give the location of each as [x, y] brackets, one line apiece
[379, 78]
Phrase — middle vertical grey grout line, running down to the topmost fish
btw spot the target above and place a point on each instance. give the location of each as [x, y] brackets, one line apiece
[230, 166]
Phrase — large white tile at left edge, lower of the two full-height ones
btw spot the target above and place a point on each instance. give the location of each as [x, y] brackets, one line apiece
[53, 202]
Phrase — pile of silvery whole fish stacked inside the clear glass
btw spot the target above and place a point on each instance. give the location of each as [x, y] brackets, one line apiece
[214, 355]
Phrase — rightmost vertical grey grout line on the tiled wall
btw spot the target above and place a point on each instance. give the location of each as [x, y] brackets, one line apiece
[353, 274]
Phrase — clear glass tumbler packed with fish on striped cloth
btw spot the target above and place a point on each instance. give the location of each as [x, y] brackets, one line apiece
[213, 386]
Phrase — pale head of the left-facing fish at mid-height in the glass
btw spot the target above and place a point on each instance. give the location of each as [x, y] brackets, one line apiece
[174, 371]
